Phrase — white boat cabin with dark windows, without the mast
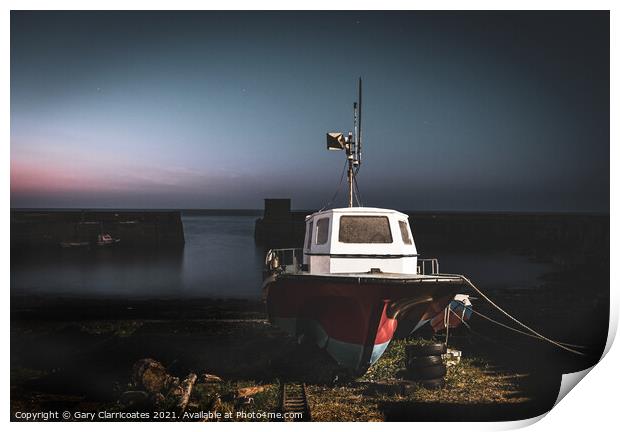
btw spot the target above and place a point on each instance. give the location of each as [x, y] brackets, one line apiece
[359, 240]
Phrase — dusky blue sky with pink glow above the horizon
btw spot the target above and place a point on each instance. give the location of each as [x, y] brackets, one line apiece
[463, 111]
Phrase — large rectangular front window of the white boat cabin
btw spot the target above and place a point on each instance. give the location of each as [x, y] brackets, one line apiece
[364, 229]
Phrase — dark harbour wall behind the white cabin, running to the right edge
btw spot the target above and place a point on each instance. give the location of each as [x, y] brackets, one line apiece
[561, 237]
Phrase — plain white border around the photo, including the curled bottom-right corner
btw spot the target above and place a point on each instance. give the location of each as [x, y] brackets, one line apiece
[593, 405]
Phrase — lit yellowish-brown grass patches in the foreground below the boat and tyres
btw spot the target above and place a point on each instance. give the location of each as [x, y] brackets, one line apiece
[472, 381]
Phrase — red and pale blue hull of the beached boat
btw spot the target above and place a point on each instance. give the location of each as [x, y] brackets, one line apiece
[354, 317]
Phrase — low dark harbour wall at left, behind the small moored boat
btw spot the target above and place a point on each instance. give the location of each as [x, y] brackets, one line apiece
[39, 229]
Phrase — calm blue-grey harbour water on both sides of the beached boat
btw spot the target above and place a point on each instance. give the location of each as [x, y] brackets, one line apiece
[220, 260]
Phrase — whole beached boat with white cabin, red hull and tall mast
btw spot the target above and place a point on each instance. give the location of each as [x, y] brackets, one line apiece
[358, 281]
